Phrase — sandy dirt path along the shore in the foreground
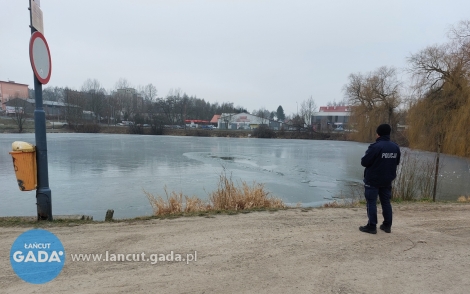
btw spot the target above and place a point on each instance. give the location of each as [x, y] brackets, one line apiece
[291, 251]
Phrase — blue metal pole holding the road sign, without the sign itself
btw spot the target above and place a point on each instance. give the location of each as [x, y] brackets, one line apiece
[43, 192]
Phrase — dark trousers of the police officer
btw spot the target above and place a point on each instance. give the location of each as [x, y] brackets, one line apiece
[385, 194]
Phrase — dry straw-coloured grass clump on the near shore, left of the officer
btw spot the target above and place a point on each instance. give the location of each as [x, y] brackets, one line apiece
[227, 197]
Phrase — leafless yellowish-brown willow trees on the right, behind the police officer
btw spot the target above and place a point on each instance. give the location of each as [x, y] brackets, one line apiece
[437, 105]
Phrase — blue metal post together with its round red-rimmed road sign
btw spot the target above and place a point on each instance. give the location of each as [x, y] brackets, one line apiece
[41, 63]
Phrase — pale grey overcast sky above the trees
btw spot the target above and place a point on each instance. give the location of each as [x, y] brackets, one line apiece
[254, 53]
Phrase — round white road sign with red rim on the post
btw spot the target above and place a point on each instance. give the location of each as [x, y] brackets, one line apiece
[40, 57]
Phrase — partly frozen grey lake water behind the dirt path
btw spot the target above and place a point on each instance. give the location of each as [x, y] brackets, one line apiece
[90, 173]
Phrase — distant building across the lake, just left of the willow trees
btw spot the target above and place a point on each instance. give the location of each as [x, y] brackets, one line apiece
[331, 117]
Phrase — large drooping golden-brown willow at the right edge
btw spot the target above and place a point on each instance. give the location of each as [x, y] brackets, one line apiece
[439, 114]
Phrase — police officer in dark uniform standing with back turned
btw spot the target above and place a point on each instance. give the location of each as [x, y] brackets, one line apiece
[380, 162]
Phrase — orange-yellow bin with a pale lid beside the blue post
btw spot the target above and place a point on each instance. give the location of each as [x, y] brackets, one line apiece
[24, 162]
